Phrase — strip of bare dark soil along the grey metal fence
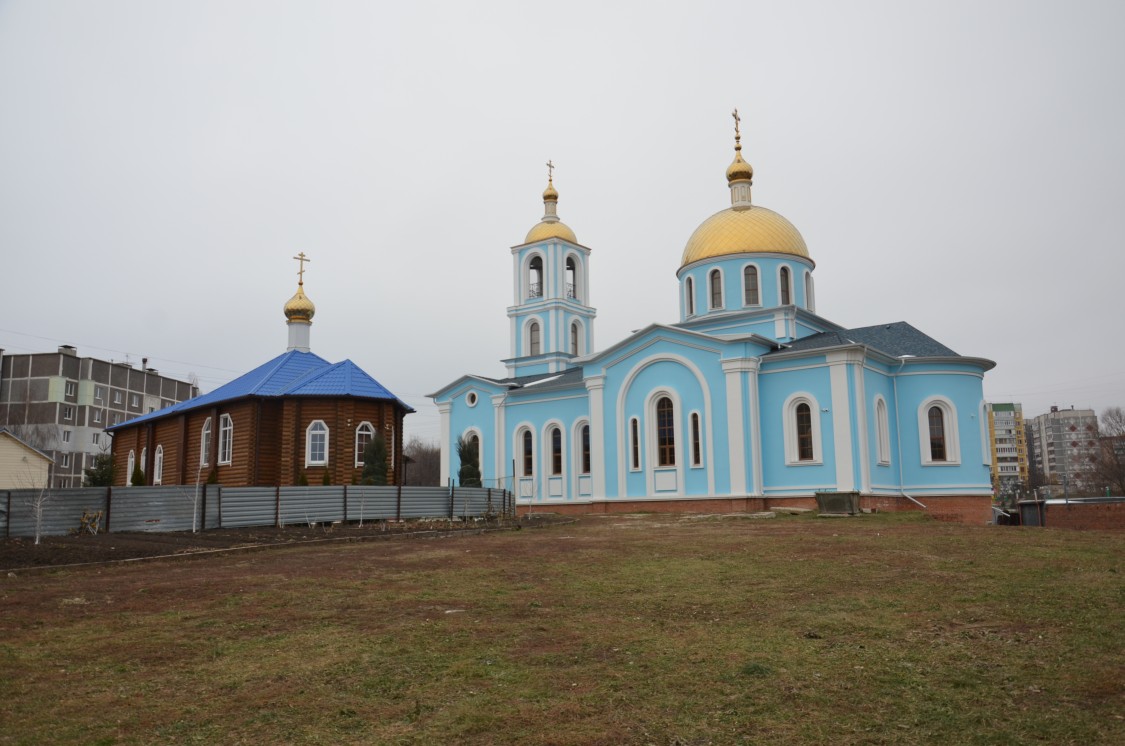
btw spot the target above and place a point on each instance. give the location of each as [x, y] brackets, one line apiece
[57, 552]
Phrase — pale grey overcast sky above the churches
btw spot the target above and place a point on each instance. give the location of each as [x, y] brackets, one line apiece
[955, 165]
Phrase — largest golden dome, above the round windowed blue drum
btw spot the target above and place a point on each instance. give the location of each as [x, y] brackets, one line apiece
[742, 231]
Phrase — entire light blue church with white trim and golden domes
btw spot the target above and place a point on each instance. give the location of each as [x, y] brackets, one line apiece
[753, 400]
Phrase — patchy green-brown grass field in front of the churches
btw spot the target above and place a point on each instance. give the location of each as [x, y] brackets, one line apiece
[640, 630]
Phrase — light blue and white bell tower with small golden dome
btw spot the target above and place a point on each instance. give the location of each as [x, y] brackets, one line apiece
[552, 321]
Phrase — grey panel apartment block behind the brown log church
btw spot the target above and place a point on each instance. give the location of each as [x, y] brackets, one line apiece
[61, 405]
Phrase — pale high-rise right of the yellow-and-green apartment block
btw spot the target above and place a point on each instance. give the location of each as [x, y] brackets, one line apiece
[1065, 446]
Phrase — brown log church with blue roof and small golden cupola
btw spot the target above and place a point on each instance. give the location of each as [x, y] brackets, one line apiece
[295, 418]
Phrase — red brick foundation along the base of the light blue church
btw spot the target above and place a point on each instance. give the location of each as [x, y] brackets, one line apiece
[976, 510]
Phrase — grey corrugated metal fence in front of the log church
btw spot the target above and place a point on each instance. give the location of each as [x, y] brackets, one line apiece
[209, 507]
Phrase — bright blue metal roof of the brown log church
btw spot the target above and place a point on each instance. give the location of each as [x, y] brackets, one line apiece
[291, 374]
